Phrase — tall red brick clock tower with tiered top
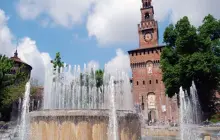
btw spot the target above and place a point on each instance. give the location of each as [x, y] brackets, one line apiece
[148, 88]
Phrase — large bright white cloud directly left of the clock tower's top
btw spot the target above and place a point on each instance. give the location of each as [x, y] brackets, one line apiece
[114, 21]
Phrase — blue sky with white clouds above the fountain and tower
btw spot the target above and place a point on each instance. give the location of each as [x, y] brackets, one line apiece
[93, 32]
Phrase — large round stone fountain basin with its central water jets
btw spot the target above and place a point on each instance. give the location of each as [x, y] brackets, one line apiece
[75, 108]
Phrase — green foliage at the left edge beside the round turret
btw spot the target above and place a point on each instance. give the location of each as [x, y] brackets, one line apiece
[12, 85]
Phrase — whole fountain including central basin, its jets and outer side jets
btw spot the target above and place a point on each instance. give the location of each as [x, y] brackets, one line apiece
[76, 109]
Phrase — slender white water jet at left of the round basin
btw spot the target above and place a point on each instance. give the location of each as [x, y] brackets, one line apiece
[23, 128]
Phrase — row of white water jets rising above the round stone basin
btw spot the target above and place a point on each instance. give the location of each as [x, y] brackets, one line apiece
[76, 89]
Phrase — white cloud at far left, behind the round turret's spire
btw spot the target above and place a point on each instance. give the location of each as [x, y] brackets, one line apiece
[27, 49]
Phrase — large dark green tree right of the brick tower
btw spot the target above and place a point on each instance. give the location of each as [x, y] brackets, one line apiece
[192, 54]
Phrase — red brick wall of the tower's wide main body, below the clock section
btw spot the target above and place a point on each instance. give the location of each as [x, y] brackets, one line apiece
[142, 86]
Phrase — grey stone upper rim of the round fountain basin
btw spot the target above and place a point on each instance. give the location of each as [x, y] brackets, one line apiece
[84, 112]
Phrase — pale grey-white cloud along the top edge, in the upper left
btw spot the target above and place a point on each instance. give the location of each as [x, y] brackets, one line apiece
[61, 12]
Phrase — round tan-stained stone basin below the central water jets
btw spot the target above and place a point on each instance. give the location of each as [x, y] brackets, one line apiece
[82, 125]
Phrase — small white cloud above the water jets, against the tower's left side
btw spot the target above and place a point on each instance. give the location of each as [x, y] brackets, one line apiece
[120, 62]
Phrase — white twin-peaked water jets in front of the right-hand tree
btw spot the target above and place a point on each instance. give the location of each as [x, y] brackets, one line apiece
[190, 113]
